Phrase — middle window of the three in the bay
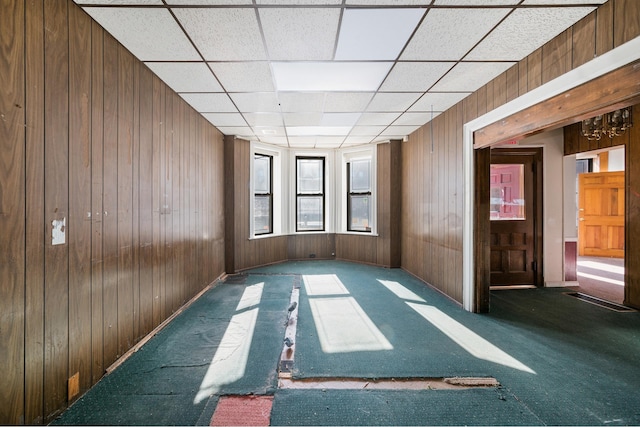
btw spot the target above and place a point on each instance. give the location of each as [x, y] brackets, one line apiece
[310, 193]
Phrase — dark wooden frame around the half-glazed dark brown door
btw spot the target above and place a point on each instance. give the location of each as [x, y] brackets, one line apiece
[536, 153]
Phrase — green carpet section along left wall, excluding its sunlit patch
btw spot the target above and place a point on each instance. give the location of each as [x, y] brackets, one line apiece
[157, 384]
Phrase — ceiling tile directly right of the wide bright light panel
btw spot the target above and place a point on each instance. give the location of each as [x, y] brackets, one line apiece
[415, 76]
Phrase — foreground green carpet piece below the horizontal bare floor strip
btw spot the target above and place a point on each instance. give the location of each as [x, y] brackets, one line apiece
[392, 407]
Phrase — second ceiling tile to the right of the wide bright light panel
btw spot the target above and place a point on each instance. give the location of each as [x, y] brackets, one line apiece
[470, 76]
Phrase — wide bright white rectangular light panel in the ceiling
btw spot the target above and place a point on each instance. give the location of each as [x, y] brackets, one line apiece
[329, 76]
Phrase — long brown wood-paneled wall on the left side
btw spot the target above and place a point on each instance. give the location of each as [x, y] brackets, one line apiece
[90, 136]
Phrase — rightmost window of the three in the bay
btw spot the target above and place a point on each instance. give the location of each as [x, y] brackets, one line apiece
[359, 201]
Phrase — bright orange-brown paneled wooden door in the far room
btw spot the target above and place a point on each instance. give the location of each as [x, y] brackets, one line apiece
[601, 214]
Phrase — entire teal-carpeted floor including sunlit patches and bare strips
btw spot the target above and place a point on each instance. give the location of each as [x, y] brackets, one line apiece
[337, 343]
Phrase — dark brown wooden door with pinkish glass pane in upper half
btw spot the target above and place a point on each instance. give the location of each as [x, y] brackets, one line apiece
[513, 214]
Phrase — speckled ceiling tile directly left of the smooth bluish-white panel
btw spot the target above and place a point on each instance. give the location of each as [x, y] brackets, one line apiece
[297, 34]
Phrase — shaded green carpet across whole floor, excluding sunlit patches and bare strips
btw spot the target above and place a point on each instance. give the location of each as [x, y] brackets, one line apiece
[584, 358]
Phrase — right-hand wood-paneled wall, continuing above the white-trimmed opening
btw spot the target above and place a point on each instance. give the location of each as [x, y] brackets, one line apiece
[432, 185]
